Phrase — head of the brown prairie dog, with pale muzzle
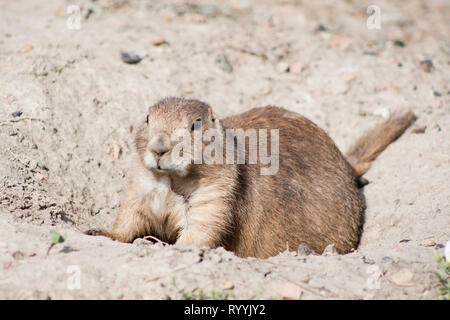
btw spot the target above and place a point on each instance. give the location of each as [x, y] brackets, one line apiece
[166, 142]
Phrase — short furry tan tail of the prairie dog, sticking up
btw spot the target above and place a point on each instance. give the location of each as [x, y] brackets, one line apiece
[373, 142]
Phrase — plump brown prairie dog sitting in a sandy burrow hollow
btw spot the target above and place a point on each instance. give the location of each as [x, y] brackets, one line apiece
[313, 197]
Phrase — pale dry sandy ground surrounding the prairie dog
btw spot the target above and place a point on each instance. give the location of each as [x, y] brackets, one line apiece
[63, 159]
